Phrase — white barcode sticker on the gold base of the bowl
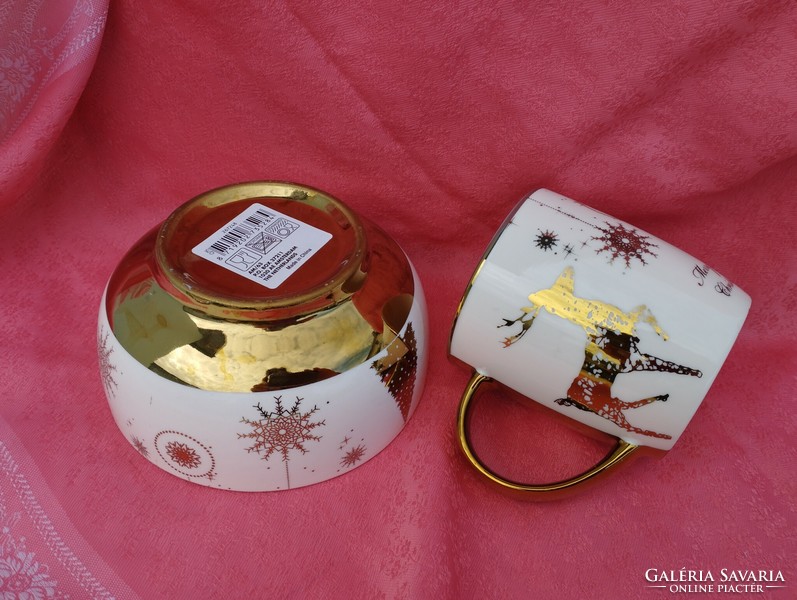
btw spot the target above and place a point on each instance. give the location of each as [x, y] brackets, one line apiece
[263, 245]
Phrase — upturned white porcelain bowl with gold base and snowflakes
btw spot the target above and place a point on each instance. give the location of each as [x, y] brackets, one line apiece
[263, 337]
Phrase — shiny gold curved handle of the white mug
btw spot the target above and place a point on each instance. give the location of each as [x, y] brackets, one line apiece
[617, 455]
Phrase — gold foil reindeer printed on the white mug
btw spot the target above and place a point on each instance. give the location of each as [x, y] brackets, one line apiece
[611, 349]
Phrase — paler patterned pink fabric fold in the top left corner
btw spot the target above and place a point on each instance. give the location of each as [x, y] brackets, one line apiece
[47, 50]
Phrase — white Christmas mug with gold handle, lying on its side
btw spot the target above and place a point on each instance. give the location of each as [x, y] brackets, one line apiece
[597, 320]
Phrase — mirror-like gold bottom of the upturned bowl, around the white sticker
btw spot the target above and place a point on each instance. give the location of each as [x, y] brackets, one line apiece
[323, 322]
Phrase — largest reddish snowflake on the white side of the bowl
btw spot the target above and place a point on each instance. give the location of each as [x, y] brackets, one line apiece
[282, 430]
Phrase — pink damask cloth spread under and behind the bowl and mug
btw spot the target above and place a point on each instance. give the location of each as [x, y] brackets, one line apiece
[679, 117]
